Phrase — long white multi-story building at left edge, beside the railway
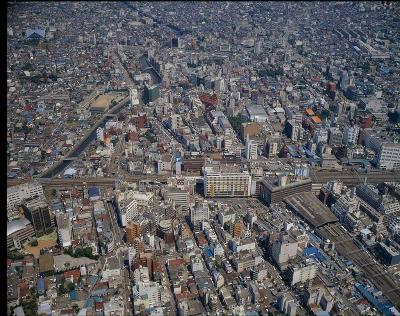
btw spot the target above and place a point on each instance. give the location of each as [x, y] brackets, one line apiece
[18, 193]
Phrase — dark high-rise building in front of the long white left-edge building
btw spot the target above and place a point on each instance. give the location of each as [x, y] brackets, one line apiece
[38, 213]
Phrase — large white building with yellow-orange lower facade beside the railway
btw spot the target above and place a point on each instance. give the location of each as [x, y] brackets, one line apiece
[226, 180]
